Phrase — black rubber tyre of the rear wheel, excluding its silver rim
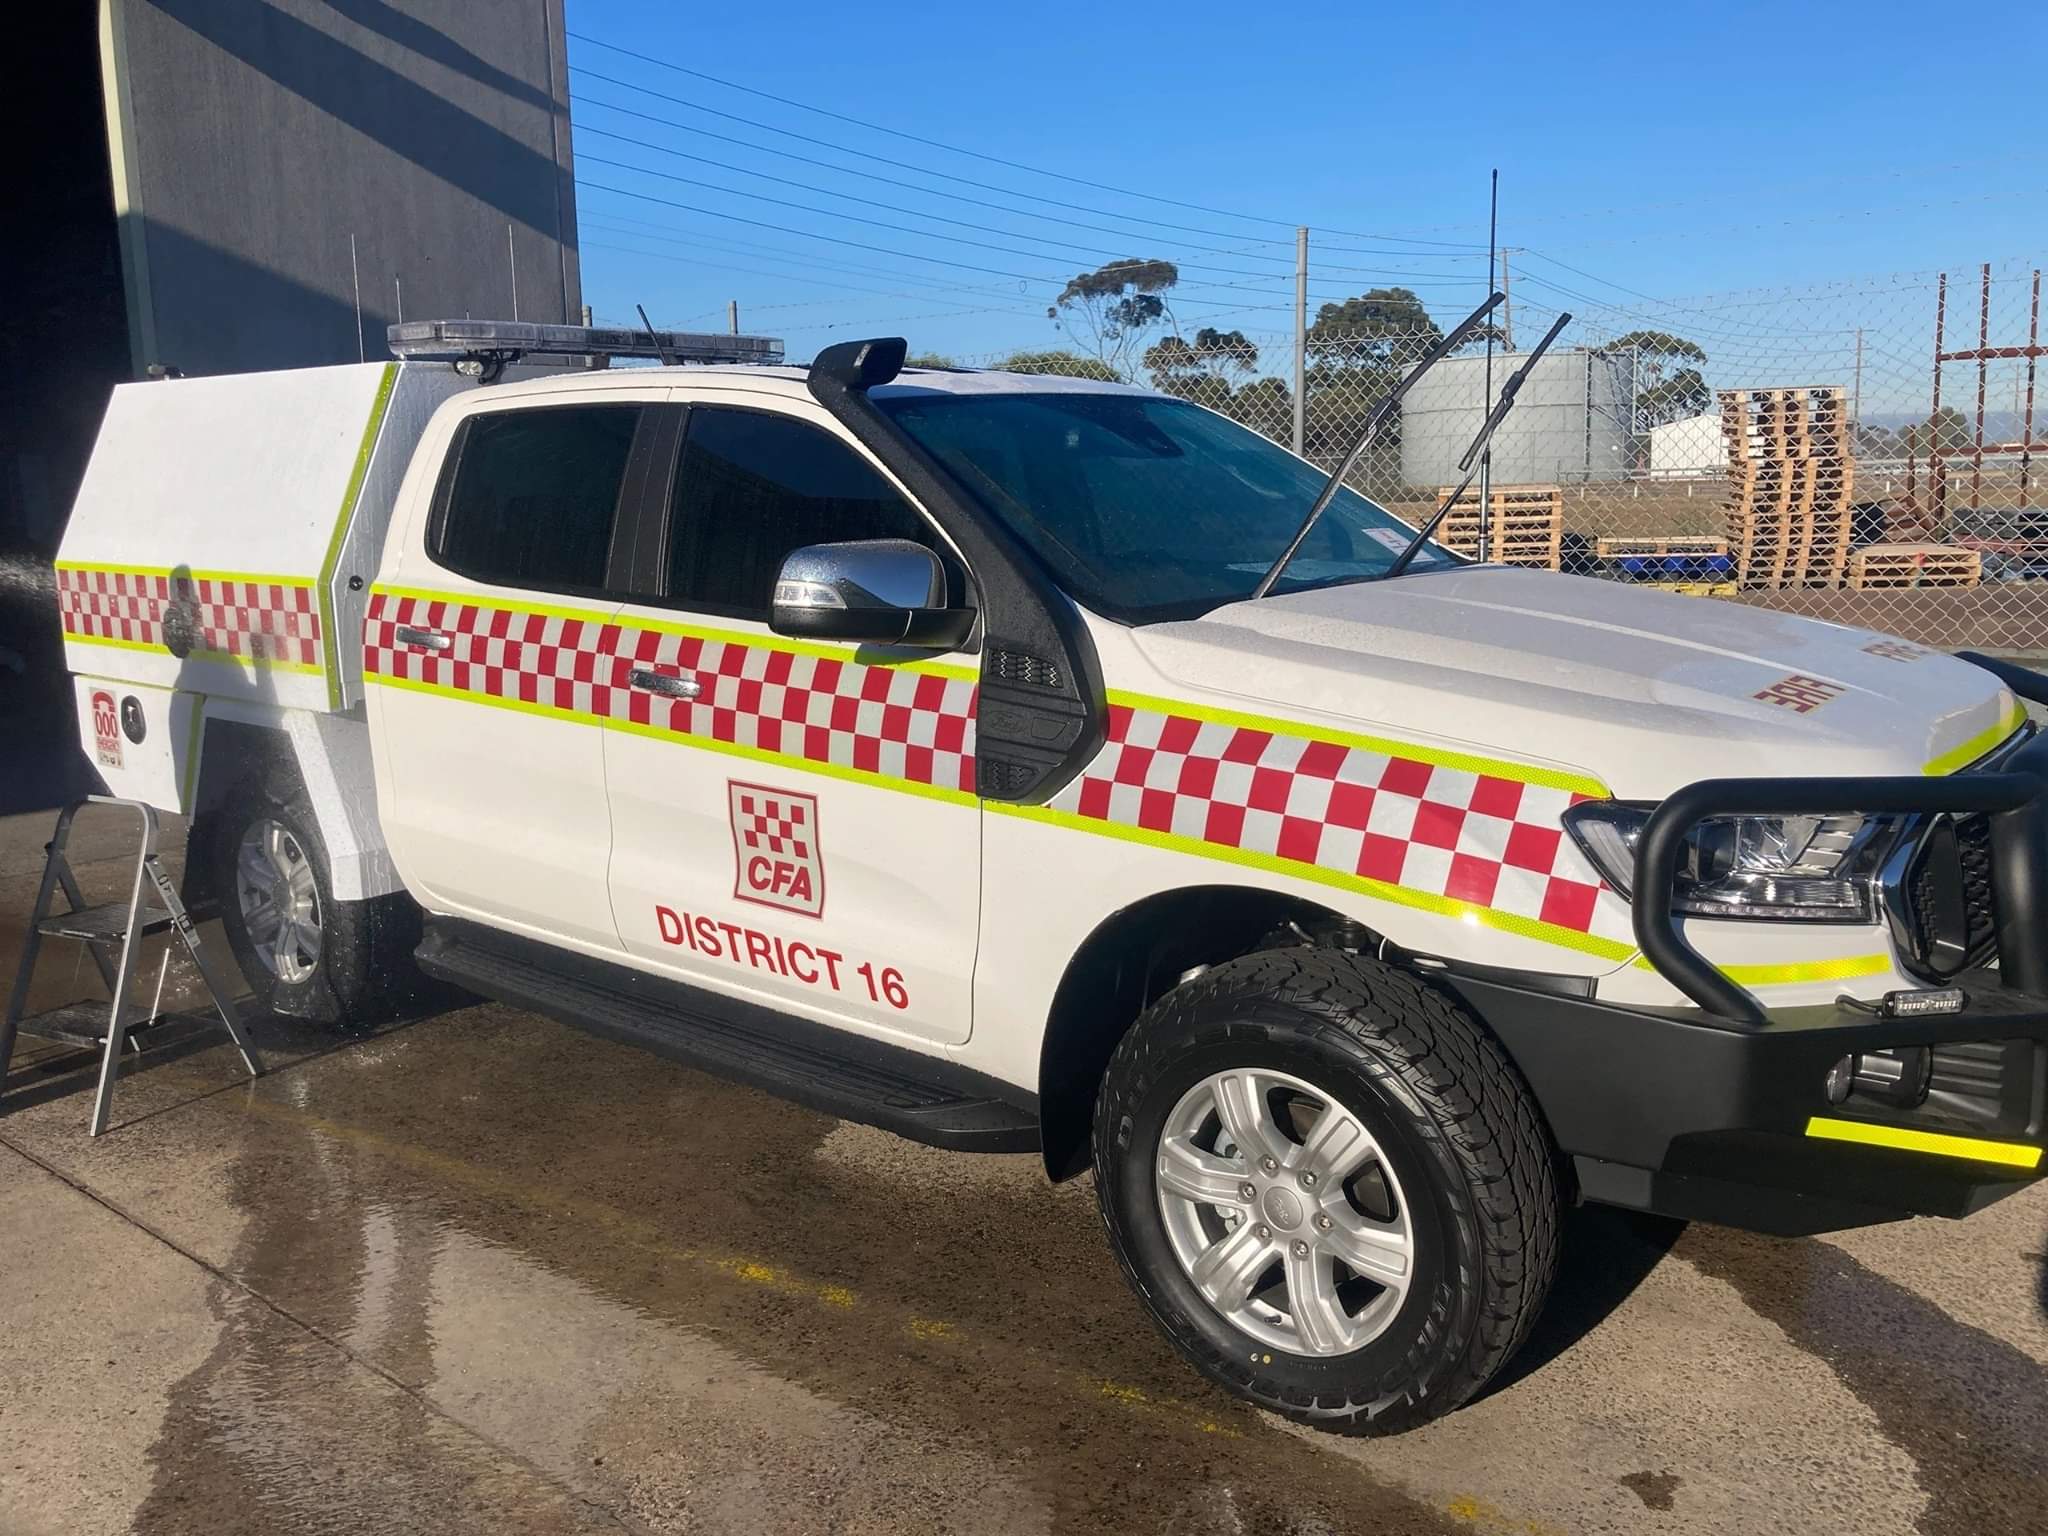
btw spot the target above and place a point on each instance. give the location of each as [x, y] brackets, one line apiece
[366, 972]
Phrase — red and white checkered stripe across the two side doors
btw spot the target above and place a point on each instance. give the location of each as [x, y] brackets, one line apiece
[890, 722]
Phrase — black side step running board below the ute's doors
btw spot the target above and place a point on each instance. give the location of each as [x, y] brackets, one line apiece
[851, 1076]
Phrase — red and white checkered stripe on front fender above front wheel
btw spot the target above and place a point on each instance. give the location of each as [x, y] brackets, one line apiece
[1447, 833]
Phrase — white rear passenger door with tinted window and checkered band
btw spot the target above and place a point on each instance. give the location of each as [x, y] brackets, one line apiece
[482, 656]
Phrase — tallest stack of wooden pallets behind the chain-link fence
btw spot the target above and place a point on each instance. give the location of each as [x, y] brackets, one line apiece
[1793, 478]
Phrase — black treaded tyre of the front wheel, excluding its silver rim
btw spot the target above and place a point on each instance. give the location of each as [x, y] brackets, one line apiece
[1449, 1111]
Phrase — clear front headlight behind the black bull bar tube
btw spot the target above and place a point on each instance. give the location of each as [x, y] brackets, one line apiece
[1783, 867]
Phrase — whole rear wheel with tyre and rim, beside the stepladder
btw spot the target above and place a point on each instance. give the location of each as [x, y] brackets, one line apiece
[302, 951]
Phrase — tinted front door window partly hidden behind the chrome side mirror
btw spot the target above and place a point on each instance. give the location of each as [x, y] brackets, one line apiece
[751, 488]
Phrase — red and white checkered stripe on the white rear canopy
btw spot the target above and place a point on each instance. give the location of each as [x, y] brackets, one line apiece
[261, 622]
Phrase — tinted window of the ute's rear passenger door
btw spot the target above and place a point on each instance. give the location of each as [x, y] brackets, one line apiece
[536, 497]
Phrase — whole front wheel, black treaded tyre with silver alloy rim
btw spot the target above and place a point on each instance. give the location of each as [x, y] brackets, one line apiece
[1330, 1189]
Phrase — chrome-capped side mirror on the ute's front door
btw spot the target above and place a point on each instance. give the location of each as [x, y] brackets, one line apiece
[878, 591]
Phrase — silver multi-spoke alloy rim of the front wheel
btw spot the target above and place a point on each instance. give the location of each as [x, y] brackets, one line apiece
[1285, 1211]
